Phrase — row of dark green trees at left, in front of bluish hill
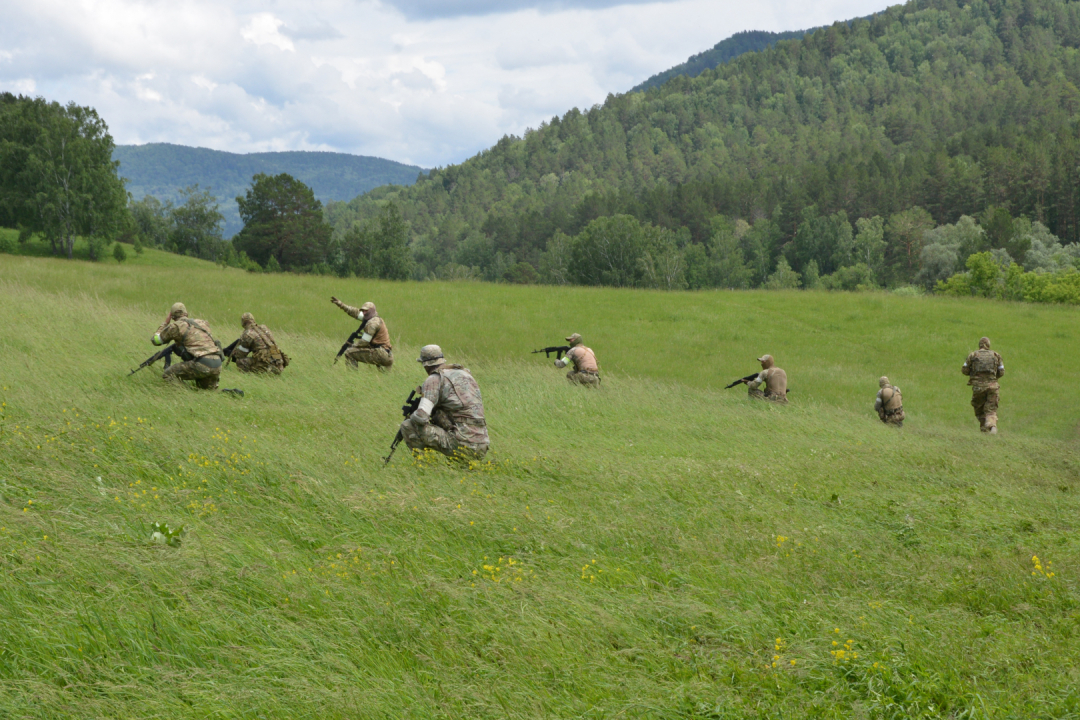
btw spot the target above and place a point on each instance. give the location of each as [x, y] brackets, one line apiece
[59, 182]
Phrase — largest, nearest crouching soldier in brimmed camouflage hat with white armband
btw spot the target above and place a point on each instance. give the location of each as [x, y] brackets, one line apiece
[451, 417]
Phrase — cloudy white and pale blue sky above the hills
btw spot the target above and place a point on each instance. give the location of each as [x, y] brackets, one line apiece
[425, 83]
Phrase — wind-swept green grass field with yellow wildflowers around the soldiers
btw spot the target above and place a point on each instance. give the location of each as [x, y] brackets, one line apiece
[661, 549]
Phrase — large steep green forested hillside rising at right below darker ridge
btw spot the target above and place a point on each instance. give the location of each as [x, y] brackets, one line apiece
[919, 116]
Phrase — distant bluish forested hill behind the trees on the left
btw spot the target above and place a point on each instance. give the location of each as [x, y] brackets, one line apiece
[161, 170]
